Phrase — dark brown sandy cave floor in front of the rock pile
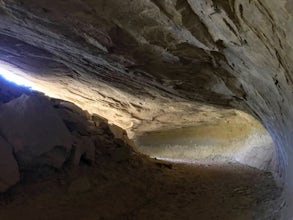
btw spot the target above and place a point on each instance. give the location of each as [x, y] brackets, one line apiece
[141, 190]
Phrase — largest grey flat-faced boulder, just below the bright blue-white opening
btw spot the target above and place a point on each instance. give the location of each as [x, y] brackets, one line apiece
[35, 130]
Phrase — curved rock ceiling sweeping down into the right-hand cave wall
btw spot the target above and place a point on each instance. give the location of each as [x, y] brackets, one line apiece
[152, 65]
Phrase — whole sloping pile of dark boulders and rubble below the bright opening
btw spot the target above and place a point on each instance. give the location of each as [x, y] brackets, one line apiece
[41, 136]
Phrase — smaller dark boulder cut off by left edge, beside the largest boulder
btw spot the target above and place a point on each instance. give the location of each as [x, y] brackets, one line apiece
[9, 174]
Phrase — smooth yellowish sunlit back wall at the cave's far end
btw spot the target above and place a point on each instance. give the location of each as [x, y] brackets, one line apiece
[237, 138]
